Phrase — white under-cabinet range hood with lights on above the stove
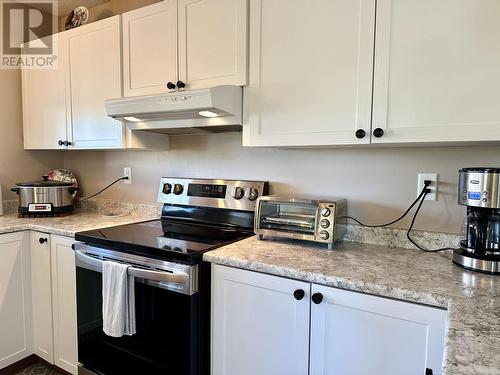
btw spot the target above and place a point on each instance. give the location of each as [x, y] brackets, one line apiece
[213, 110]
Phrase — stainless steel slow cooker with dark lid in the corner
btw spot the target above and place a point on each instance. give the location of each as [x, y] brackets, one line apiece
[45, 197]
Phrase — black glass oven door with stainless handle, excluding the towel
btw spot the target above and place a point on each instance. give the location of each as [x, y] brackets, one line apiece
[167, 319]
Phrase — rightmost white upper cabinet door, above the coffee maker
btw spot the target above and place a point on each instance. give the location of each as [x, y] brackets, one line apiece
[436, 71]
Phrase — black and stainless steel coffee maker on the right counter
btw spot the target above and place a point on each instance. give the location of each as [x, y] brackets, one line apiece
[479, 191]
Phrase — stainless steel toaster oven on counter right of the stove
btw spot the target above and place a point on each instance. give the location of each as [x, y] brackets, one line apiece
[301, 218]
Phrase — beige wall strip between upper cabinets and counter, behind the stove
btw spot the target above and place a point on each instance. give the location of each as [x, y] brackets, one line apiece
[379, 183]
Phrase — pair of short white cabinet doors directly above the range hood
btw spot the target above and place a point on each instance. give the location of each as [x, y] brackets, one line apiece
[185, 44]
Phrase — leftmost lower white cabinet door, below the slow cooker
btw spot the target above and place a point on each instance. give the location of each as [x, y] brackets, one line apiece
[16, 340]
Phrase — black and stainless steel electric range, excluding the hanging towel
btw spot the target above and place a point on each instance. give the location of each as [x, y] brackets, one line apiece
[172, 283]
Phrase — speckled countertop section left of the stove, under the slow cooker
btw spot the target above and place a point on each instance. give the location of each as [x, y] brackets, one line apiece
[69, 225]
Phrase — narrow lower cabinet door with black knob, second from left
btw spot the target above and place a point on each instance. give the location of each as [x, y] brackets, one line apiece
[41, 295]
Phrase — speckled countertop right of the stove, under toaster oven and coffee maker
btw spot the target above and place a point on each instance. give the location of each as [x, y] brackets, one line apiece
[472, 299]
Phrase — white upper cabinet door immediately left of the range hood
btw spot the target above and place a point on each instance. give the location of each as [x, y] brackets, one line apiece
[95, 73]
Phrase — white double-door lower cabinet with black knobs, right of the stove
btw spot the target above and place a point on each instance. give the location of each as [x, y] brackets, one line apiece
[260, 325]
